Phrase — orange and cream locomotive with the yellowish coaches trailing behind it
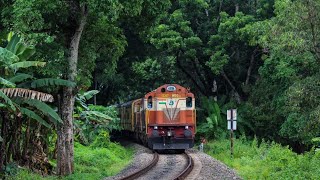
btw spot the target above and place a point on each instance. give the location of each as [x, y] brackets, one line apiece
[163, 119]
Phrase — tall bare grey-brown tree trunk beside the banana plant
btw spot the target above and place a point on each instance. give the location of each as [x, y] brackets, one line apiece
[65, 164]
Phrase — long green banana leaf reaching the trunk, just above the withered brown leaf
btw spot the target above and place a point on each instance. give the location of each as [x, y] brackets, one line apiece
[51, 82]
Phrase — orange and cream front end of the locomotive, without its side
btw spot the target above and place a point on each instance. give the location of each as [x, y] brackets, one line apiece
[170, 117]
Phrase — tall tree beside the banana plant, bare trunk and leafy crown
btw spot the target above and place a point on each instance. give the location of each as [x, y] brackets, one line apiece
[63, 23]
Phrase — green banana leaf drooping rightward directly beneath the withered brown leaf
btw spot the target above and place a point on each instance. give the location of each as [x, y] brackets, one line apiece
[43, 107]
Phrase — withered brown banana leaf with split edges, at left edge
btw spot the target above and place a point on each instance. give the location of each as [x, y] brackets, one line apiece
[27, 93]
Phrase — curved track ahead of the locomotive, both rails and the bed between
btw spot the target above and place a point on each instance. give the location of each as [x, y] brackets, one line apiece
[165, 166]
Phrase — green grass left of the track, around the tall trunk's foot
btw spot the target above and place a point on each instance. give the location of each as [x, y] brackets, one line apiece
[90, 163]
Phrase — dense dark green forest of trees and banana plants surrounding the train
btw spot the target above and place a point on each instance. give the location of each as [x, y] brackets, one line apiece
[64, 62]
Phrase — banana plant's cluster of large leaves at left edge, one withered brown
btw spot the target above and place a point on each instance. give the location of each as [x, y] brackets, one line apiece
[13, 90]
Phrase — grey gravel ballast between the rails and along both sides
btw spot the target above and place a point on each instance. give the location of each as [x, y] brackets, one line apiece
[205, 167]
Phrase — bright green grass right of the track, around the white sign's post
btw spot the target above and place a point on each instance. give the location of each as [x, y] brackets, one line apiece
[266, 160]
